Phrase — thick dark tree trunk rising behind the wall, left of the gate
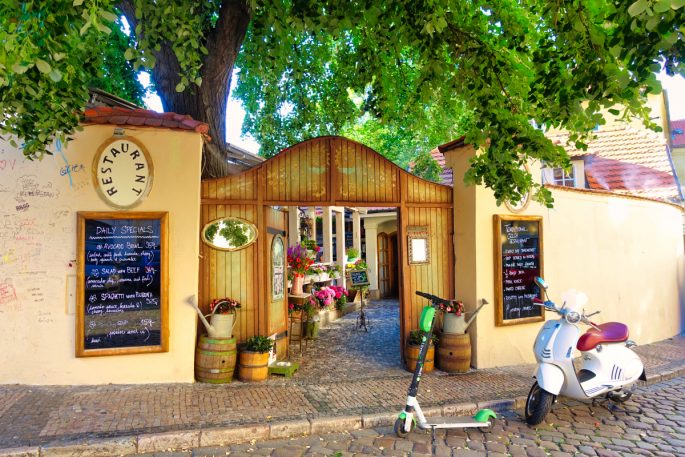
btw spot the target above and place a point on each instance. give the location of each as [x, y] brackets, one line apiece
[206, 103]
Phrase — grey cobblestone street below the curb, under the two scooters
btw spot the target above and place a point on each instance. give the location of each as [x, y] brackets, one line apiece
[651, 424]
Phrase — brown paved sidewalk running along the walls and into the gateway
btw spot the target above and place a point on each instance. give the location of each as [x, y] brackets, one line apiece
[344, 373]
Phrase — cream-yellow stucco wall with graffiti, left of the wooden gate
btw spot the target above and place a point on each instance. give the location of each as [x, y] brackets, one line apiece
[38, 209]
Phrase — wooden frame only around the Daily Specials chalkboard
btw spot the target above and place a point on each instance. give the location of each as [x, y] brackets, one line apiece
[163, 346]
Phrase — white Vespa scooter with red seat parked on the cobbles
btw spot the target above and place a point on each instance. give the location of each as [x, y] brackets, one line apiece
[608, 366]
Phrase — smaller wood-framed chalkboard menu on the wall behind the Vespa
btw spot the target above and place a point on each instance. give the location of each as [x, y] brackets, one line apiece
[518, 260]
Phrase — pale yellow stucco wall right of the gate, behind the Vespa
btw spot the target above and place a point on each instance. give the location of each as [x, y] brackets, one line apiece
[626, 254]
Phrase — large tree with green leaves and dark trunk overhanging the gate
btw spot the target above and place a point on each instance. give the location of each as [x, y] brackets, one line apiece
[509, 62]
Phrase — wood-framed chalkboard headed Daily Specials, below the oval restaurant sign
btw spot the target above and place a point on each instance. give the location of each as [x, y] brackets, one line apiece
[122, 304]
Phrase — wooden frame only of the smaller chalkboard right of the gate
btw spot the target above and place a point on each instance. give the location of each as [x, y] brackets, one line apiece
[500, 319]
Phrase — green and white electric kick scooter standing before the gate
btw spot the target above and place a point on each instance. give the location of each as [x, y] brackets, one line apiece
[412, 414]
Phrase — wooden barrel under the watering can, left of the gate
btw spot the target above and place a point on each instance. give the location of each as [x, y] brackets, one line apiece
[215, 360]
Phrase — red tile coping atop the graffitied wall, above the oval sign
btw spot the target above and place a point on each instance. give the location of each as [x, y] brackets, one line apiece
[143, 118]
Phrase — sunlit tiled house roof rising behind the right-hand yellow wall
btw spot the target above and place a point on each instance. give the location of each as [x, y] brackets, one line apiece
[626, 160]
